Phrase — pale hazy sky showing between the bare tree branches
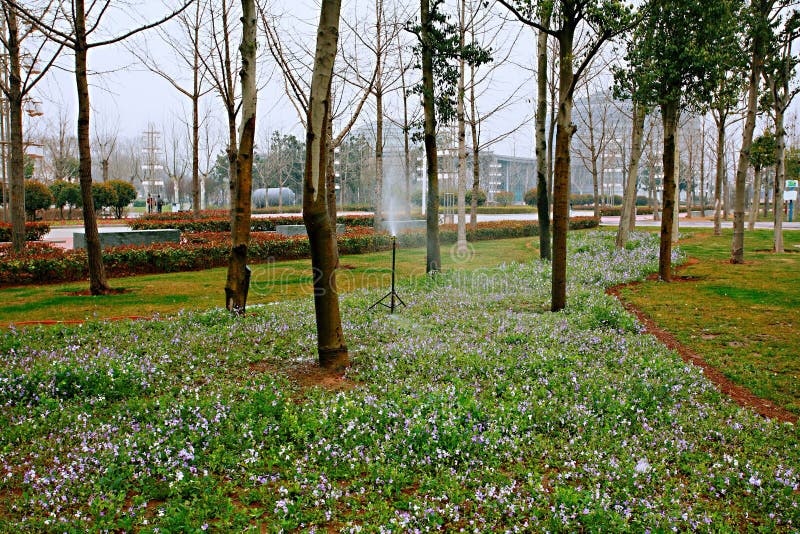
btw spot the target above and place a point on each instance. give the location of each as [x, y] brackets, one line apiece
[124, 93]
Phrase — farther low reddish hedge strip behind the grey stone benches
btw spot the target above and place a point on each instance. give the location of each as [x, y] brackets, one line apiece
[223, 224]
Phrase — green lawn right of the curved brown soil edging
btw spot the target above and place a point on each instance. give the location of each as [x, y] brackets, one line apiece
[743, 319]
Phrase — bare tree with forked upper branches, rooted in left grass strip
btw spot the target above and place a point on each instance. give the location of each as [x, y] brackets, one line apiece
[73, 30]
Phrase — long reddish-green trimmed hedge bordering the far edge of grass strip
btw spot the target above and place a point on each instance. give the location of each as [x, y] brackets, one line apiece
[42, 263]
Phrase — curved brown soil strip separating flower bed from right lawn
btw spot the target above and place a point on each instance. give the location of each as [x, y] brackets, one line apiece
[740, 395]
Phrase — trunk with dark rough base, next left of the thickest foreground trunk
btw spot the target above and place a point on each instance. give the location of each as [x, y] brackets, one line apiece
[237, 281]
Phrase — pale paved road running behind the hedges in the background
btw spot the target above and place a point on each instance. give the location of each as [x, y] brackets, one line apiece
[62, 235]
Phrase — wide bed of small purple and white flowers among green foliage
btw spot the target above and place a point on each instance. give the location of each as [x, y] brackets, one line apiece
[471, 409]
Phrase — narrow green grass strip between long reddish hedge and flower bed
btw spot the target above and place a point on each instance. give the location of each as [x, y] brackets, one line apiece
[201, 290]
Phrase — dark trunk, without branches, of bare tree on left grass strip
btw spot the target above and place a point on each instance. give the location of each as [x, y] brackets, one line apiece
[98, 284]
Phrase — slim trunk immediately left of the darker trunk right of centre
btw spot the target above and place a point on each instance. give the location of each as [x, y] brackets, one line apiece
[542, 189]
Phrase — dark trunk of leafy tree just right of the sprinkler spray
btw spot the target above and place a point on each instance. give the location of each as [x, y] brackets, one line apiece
[433, 260]
